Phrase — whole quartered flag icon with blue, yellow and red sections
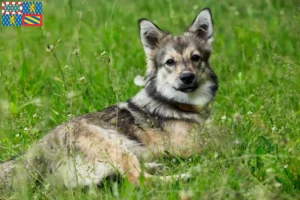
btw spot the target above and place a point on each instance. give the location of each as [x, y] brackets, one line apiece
[22, 14]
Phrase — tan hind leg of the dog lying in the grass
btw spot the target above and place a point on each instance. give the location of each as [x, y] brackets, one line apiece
[108, 146]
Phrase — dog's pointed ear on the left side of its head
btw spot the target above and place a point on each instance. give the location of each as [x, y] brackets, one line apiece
[150, 34]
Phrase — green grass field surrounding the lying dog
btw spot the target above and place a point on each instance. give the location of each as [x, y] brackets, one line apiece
[254, 152]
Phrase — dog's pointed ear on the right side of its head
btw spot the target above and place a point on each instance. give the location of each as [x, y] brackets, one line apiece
[202, 25]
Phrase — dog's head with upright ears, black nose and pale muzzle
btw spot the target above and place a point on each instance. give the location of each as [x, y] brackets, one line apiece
[178, 70]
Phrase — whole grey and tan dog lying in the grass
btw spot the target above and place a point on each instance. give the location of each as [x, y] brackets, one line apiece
[162, 117]
